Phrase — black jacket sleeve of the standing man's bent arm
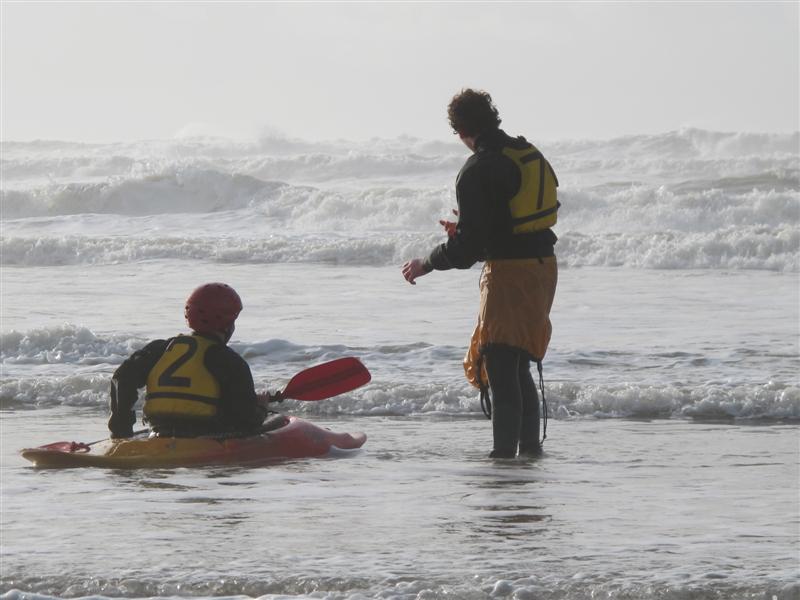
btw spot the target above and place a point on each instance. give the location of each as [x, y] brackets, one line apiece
[468, 245]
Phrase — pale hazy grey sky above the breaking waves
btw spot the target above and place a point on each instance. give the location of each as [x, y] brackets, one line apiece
[125, 71]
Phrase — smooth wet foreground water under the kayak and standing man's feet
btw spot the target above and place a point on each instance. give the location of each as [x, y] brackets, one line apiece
[652, 509]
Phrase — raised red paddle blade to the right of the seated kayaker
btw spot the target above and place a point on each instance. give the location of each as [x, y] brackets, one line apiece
[327, 380]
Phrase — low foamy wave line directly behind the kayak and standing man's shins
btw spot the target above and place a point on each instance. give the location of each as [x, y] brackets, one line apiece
[769, 402]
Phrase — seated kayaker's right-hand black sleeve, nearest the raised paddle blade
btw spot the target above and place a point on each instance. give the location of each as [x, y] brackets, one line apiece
[240, 409]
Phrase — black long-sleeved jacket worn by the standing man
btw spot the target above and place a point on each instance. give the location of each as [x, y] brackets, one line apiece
[484, 187]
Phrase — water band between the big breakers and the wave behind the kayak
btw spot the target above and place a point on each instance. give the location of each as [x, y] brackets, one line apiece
[626, 342]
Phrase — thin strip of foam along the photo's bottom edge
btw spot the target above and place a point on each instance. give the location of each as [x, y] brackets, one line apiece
[545, 587]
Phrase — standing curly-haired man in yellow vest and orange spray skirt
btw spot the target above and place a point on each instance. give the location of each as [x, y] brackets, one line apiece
[507, 202]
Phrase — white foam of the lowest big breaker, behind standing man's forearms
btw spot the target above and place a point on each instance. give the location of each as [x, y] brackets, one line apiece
[752, 247]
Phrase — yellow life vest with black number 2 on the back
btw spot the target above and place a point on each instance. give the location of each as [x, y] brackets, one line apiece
[180, 385]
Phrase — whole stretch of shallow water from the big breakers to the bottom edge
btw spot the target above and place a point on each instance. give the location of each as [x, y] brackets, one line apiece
[648, 508]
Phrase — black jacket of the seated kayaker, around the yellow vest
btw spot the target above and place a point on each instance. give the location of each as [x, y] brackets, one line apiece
[239, 410]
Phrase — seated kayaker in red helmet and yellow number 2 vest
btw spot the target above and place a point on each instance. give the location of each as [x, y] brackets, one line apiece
[196, 384]
